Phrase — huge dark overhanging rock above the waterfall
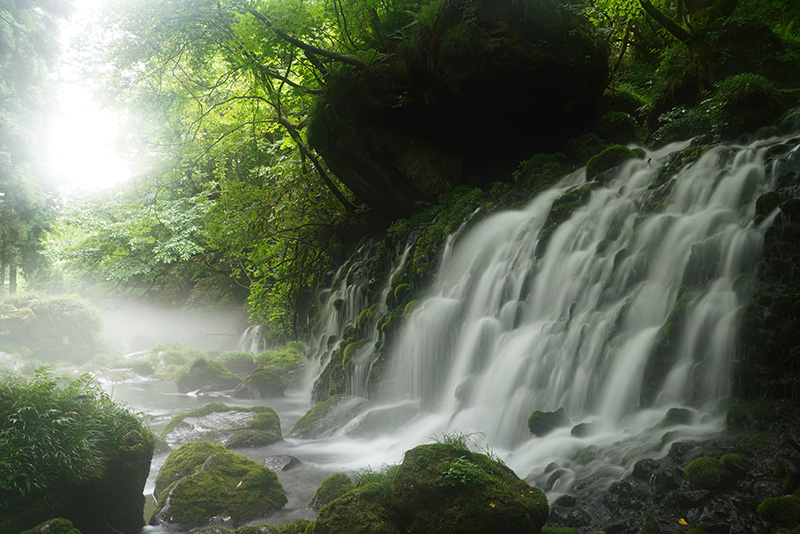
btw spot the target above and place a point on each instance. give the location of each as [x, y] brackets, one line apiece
[462, 100]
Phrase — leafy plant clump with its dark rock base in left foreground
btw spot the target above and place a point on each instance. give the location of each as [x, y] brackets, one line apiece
[56, 437]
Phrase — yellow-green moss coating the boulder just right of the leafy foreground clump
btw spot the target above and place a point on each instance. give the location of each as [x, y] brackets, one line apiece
[224, 482]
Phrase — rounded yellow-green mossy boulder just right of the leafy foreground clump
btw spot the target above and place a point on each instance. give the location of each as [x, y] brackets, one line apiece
[211, 486]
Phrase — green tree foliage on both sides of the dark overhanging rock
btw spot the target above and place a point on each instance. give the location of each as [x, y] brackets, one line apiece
[235, 202]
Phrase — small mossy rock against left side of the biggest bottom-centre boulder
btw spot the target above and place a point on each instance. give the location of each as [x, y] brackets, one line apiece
[363, 509]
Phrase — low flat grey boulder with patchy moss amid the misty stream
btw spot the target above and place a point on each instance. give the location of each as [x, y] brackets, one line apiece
[234, 427]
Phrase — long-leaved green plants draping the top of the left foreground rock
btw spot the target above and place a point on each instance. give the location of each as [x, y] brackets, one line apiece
[56, 434]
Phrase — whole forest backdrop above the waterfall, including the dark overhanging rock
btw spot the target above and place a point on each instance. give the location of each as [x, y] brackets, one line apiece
[238, 107]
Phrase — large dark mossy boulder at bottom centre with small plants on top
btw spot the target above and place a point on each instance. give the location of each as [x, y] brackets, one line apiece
[442, 489]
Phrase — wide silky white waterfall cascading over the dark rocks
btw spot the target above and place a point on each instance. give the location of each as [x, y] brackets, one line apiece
[617, 311]
